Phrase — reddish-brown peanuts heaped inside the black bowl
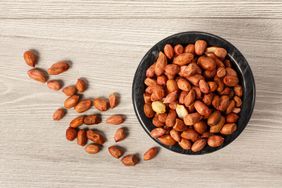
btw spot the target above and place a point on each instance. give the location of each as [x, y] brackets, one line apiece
[193, 96]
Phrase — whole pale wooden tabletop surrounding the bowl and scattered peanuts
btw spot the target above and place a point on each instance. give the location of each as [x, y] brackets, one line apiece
[106, 40]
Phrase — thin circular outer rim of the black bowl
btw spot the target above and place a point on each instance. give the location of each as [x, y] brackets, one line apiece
[137, 113]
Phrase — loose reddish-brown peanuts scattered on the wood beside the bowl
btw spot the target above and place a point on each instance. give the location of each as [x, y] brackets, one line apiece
[75, 100]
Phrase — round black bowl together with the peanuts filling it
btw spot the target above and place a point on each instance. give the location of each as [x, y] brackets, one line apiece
[193, 93]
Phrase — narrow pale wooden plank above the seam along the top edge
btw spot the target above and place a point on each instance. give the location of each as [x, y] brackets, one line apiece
[132, 9]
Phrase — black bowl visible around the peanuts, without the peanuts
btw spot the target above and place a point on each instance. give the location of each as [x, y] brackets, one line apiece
[238, 62]
